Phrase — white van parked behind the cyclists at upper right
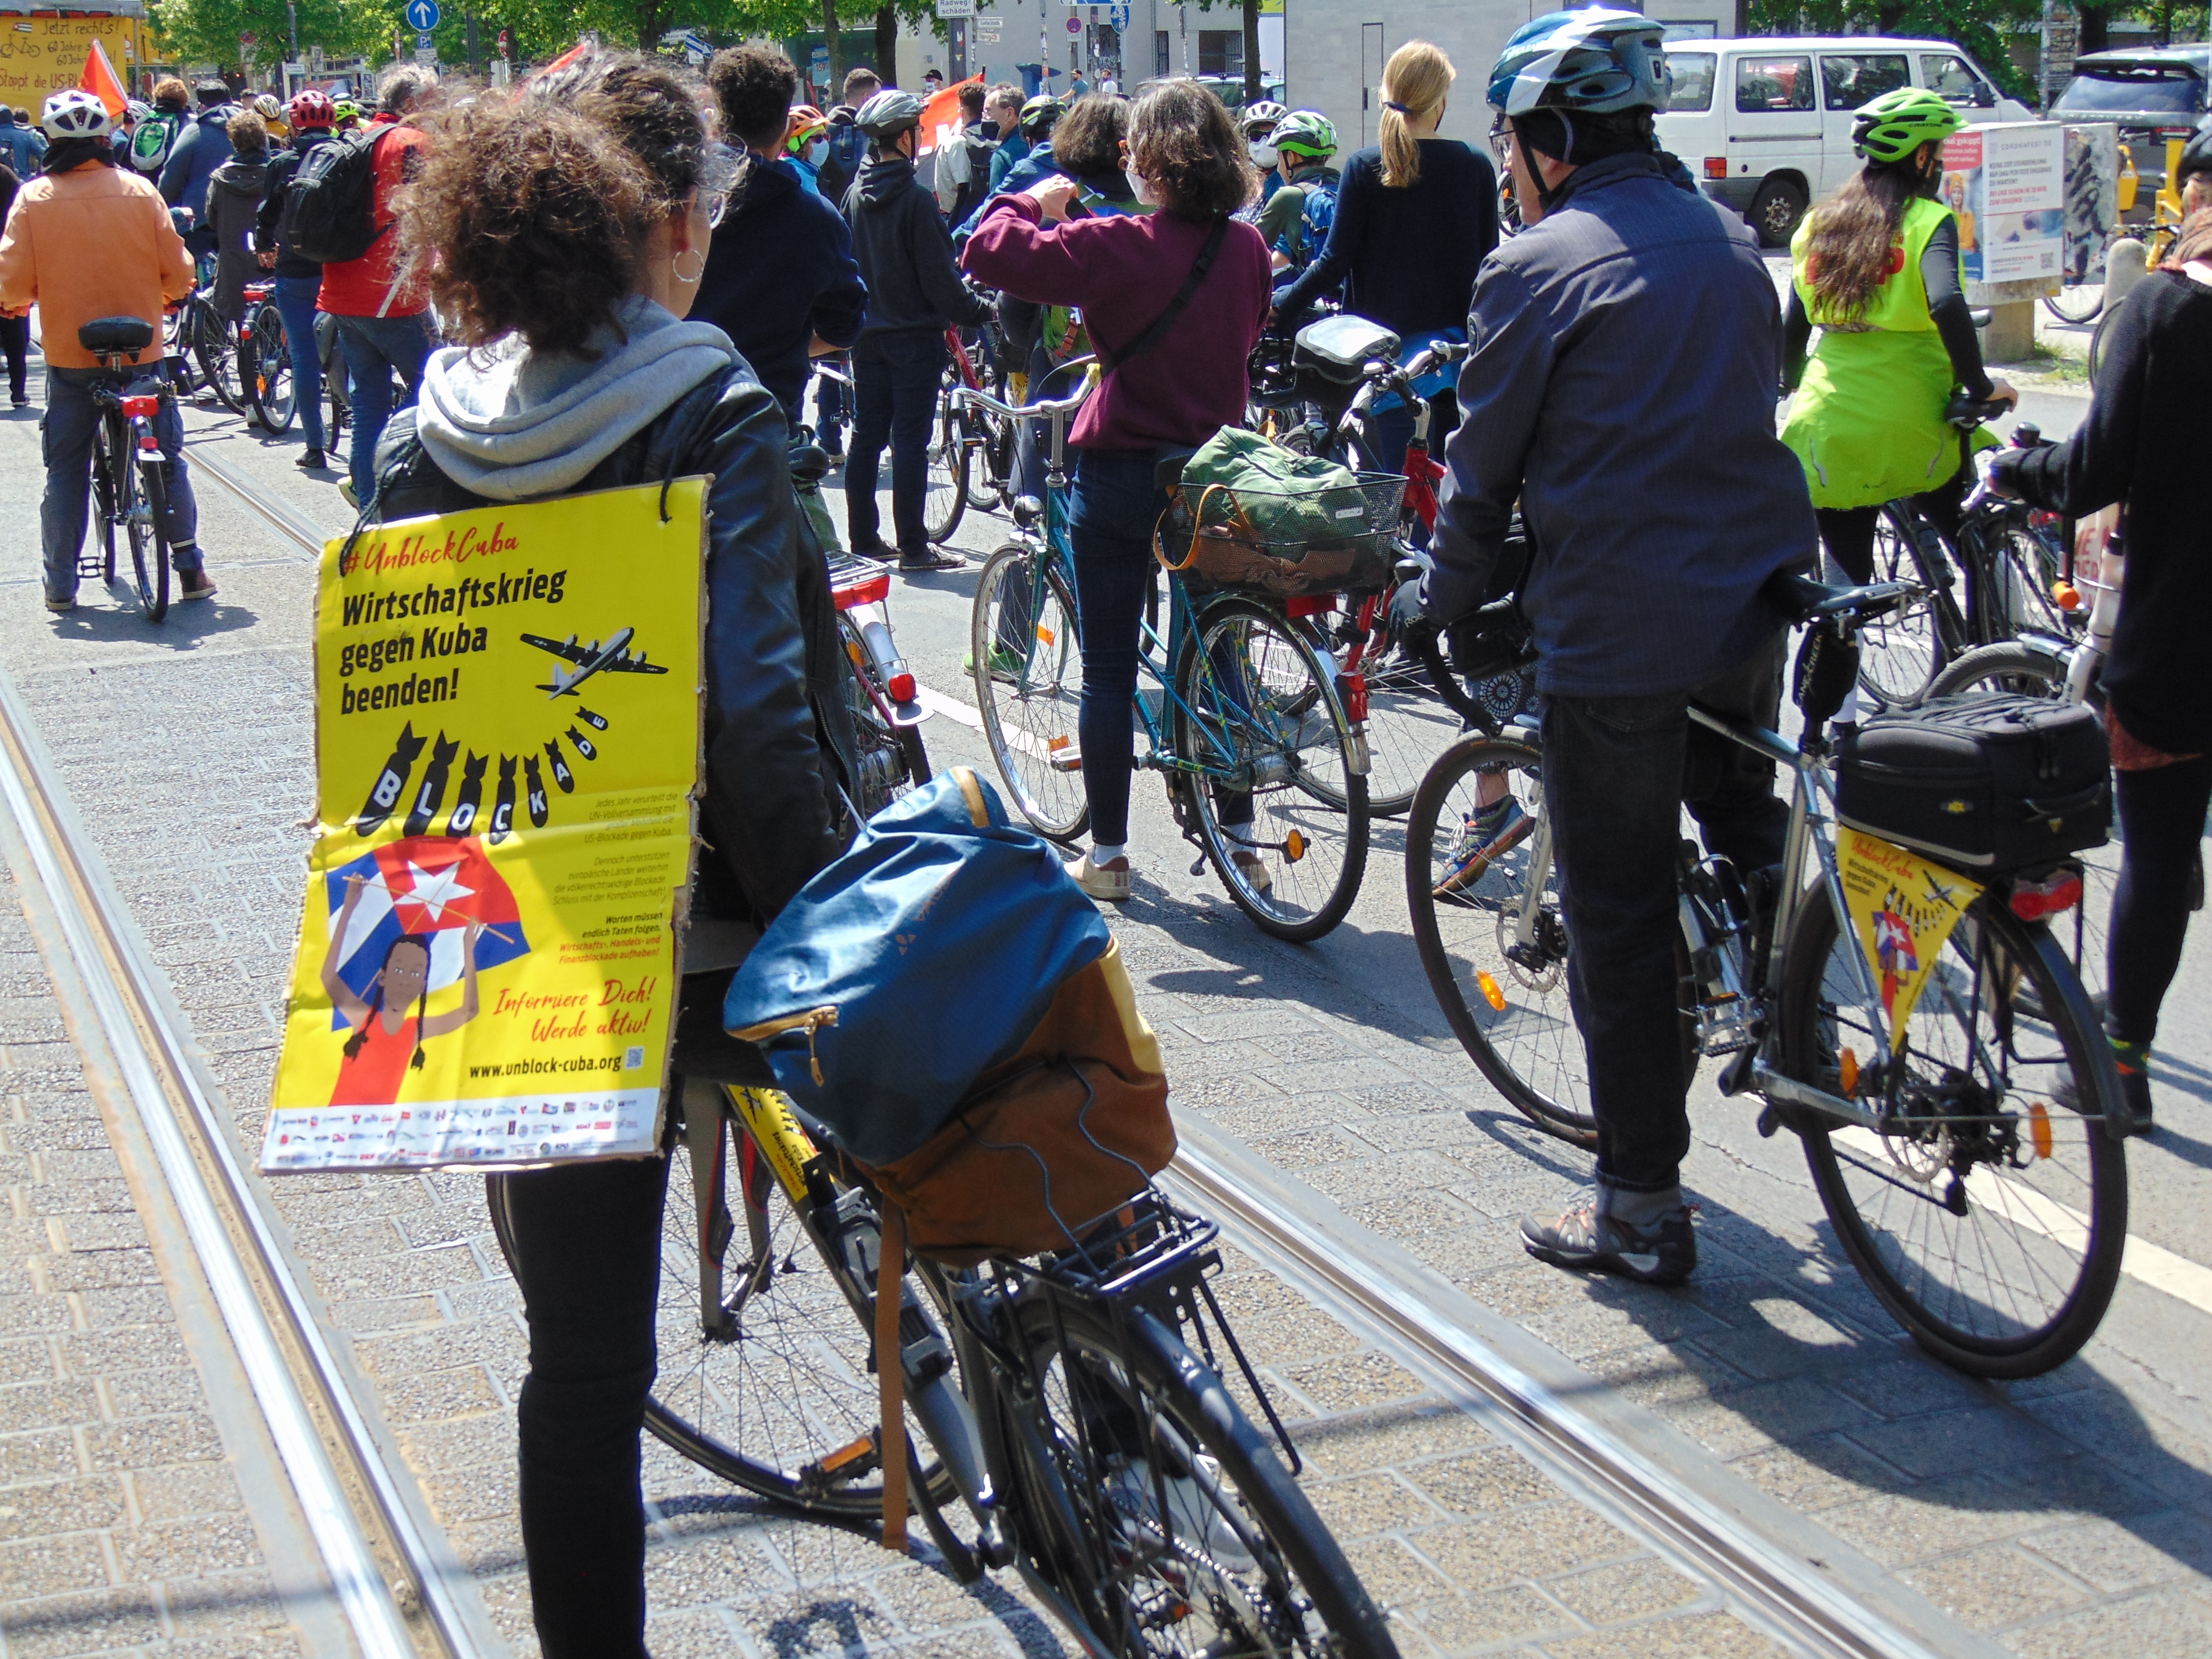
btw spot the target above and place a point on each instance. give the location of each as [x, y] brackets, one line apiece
[1766, 125]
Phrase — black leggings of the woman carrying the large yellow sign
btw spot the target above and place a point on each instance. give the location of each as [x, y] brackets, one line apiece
[589, 1258]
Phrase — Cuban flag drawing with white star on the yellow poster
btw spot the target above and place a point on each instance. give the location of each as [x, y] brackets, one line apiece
[430, 886]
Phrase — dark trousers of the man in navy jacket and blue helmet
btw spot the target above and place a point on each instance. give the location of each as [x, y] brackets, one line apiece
[1616, 778]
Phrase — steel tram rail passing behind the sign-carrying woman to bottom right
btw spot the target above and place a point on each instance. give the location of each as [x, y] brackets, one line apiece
[1757, 1563]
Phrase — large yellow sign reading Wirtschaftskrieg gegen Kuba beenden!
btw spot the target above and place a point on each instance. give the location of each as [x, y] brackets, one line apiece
[508, 740]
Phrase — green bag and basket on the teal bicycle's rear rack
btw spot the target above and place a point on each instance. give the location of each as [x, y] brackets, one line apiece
[1253, 514]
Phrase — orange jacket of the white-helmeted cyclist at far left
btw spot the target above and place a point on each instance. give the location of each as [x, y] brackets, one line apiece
[92, 242]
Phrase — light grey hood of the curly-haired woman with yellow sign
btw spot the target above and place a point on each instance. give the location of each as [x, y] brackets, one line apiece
[510, 424]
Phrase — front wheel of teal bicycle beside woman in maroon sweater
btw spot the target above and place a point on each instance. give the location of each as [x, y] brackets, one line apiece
[1030, 687]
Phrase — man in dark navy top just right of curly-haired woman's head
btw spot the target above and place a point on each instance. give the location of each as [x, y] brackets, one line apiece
[780, 275]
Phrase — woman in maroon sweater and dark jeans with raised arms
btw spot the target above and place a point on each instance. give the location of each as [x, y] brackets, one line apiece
[1189, 169]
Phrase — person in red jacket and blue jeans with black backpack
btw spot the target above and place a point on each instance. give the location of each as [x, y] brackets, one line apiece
[384, 320]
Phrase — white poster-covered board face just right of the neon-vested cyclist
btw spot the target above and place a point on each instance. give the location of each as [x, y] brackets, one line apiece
[2007, 185]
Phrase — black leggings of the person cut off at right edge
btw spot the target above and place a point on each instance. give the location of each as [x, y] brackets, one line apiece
[2162, 817]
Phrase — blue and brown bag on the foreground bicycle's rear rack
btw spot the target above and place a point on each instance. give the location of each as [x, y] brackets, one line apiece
[954, 1012]
